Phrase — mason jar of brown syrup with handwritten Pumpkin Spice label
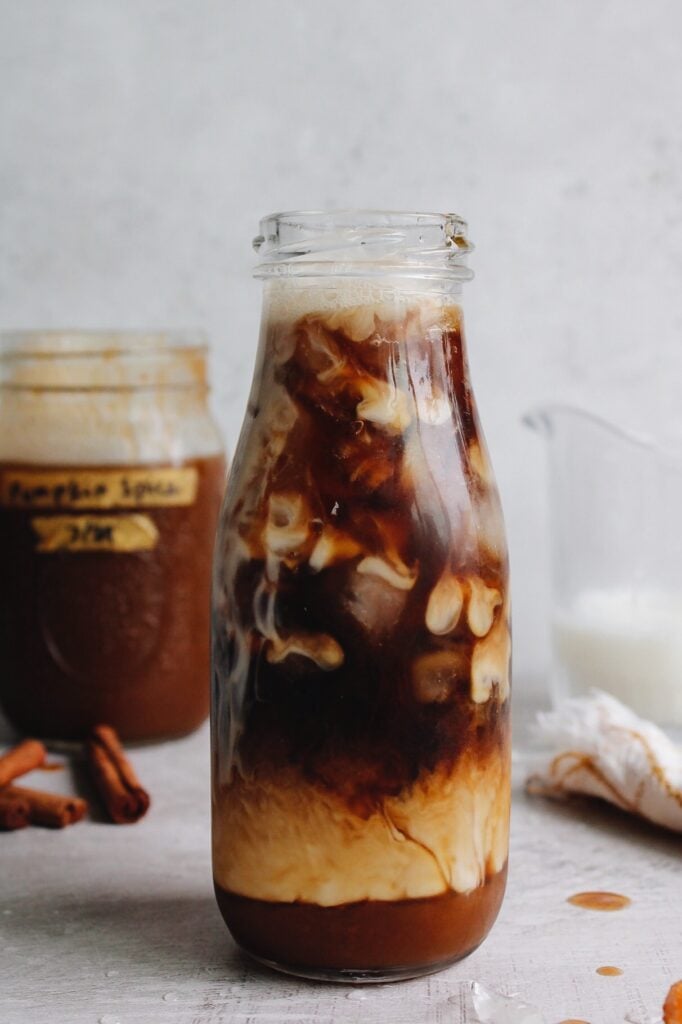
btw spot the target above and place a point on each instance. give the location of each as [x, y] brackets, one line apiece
[112, 472]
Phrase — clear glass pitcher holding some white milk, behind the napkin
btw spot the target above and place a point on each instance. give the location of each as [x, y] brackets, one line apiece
[616, 506]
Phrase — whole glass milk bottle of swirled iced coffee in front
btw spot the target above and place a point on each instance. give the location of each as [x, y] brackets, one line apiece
[361, 615]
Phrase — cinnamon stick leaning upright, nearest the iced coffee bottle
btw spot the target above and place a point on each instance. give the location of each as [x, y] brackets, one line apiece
[115, 778]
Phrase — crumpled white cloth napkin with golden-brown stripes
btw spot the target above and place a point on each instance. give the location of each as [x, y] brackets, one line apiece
[603, 749]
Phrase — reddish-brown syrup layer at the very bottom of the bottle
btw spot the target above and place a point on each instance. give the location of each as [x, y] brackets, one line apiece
[398, 937]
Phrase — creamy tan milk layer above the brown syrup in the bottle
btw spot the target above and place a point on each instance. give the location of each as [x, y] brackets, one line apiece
[287, 840]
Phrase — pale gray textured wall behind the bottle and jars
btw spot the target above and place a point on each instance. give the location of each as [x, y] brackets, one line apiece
[143, 140]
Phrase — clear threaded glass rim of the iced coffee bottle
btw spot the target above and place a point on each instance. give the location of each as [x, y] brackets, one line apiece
[352, 243]
